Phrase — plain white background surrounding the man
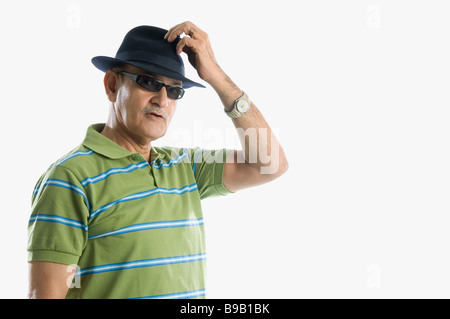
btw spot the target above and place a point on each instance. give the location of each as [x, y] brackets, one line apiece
[358, 92]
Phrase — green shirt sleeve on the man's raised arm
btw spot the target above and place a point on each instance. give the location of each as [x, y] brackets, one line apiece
[208, 166]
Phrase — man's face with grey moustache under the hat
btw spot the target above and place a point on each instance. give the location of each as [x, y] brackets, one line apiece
[144, 115]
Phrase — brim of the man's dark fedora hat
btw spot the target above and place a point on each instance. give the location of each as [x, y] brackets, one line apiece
[105, 63]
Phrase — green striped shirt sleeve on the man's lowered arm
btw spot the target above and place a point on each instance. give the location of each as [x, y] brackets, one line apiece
[57, 229]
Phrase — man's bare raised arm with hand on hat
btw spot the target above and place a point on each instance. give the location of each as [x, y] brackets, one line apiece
[262, 158]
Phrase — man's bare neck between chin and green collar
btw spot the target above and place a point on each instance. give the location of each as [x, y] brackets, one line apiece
[121, 137]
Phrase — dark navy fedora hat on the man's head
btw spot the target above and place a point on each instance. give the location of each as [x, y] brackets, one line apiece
[145, 47]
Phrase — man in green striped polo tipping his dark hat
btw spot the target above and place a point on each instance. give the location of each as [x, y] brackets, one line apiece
[124, 214]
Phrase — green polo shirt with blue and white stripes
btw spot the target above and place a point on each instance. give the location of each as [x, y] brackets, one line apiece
[132, 229]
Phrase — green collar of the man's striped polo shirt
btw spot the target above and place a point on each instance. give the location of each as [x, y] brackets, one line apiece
[99, 143]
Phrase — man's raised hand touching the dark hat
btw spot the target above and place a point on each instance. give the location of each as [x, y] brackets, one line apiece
[198, 49]
